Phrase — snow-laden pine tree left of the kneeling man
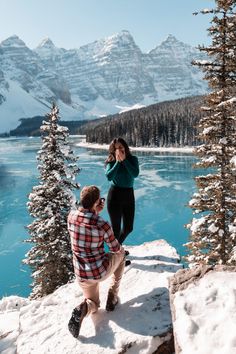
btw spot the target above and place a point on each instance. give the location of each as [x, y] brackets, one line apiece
[49, 203]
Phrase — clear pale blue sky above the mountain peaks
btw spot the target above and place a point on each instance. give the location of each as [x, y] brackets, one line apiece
[72, 23]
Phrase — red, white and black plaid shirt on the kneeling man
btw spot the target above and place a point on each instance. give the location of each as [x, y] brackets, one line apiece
[88, 232]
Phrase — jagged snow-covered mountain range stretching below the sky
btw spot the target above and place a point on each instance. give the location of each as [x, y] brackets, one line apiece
[97, 79]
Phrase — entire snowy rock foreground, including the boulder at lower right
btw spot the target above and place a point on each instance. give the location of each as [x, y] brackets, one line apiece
[203, 303]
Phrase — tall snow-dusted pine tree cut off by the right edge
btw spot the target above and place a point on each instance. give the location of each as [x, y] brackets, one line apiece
[213, 234]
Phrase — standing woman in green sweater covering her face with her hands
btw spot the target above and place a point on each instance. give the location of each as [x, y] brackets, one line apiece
[121, 169]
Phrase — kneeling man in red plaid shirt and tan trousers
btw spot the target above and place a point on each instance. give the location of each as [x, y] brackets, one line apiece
[88, 232]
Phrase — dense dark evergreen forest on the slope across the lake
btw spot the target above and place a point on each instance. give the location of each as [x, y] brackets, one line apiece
[171, 123]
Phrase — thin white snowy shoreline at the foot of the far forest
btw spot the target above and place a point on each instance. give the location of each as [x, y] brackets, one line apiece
[187, 149]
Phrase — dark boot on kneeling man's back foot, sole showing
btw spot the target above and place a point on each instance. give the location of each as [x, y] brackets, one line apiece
[77, 317]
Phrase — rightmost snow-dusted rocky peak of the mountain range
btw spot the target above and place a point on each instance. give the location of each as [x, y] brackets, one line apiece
[173, 74]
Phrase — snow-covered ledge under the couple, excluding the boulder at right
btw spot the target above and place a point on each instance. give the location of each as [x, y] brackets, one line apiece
[40, 326]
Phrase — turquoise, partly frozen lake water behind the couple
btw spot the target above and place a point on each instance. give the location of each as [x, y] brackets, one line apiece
[162, 190]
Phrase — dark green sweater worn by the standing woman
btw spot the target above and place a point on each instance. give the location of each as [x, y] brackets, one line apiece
[122, 174]
